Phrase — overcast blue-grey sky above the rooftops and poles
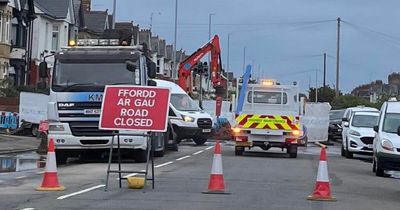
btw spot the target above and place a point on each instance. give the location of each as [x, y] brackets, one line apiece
[284, 40]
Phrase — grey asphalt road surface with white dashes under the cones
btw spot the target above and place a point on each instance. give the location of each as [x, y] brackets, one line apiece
[257, 180]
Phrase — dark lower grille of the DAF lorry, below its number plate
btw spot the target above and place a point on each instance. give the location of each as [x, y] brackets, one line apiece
[87, 129]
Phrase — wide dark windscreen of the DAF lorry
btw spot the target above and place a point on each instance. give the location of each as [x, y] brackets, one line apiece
[84, 76]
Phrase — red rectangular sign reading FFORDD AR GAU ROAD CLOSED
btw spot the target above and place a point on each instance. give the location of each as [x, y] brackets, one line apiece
[134, 108]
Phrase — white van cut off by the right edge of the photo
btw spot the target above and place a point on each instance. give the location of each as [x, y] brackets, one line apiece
[386, 147]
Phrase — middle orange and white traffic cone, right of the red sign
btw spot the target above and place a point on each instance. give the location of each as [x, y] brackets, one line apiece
[216, 184]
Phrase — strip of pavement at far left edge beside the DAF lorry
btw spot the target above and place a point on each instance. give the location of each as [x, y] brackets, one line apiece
[17, 144]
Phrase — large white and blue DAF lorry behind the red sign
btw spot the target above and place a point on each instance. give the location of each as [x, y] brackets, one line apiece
[78, 78]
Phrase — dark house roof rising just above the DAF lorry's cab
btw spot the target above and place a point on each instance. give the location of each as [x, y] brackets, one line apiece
[95, 20]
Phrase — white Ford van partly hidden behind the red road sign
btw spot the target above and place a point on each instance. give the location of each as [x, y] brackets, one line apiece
[186, 117]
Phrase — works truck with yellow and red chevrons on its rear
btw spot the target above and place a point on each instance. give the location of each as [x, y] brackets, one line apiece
[268, 115]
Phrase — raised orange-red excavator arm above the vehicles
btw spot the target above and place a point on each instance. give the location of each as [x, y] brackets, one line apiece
[219, 82]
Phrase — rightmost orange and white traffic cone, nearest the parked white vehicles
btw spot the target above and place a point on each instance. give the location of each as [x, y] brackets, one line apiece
[322, 190]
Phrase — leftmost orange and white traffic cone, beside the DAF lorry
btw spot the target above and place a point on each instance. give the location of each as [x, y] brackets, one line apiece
[50, 177]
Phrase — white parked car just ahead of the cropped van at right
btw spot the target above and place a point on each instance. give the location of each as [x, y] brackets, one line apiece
[360, 133]
